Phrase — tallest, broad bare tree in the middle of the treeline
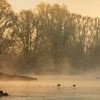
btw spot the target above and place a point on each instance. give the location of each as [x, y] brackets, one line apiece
[51, 31]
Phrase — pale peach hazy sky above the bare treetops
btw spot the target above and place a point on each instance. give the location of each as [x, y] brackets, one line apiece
[84, 7]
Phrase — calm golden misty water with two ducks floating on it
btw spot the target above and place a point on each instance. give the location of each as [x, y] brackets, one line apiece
[45, 89]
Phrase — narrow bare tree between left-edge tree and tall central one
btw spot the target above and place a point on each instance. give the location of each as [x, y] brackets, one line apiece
[24, 28]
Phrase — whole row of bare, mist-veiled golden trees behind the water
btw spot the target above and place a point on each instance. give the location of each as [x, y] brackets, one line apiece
[48, 38]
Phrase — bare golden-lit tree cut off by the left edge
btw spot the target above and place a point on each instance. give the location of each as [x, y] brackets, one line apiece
[5, 26]
